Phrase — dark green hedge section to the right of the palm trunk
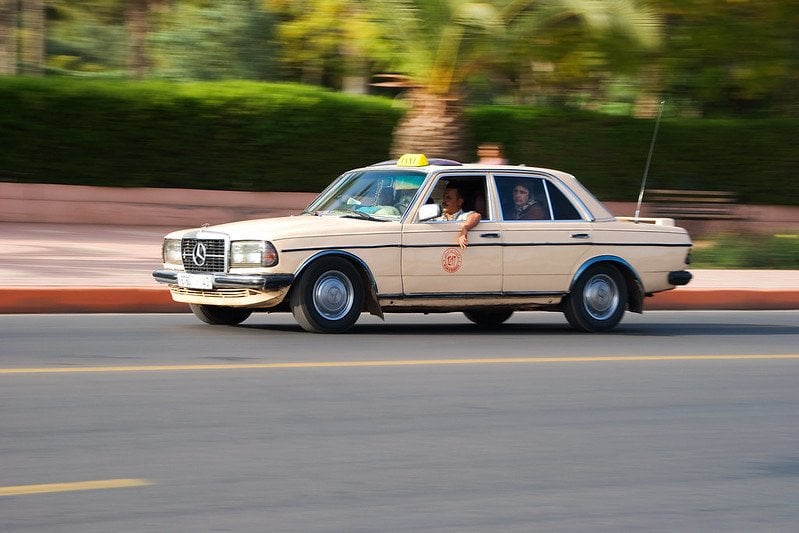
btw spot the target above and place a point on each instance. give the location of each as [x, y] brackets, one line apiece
[757, 159]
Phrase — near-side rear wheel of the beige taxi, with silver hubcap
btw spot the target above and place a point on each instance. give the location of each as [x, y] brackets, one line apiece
[598, 300]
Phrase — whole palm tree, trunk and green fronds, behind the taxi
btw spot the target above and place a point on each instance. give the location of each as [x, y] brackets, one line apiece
[437, 43]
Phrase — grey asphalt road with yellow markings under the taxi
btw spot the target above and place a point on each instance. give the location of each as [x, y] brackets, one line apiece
[675, 422]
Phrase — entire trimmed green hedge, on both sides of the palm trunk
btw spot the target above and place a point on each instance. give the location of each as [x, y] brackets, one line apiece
[283, 137]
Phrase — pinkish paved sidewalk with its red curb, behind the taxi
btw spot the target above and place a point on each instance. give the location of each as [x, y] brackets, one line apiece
[85, 268]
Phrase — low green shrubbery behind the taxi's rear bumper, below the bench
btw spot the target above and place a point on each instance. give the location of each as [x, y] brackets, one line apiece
[742, 251]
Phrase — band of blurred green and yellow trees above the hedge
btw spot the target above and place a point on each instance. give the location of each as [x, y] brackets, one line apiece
[707, 57]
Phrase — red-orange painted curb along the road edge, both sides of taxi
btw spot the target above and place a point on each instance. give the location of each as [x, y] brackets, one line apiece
[40, 300]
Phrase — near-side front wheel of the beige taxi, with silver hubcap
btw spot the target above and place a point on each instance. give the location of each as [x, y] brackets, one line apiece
[328, 298]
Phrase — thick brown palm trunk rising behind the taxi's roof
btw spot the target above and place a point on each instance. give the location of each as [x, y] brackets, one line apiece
[434, 126]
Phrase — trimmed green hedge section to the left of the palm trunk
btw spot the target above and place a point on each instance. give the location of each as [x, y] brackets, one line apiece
[232, 135]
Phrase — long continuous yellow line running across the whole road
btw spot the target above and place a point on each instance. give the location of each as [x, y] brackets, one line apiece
[390, 363]
